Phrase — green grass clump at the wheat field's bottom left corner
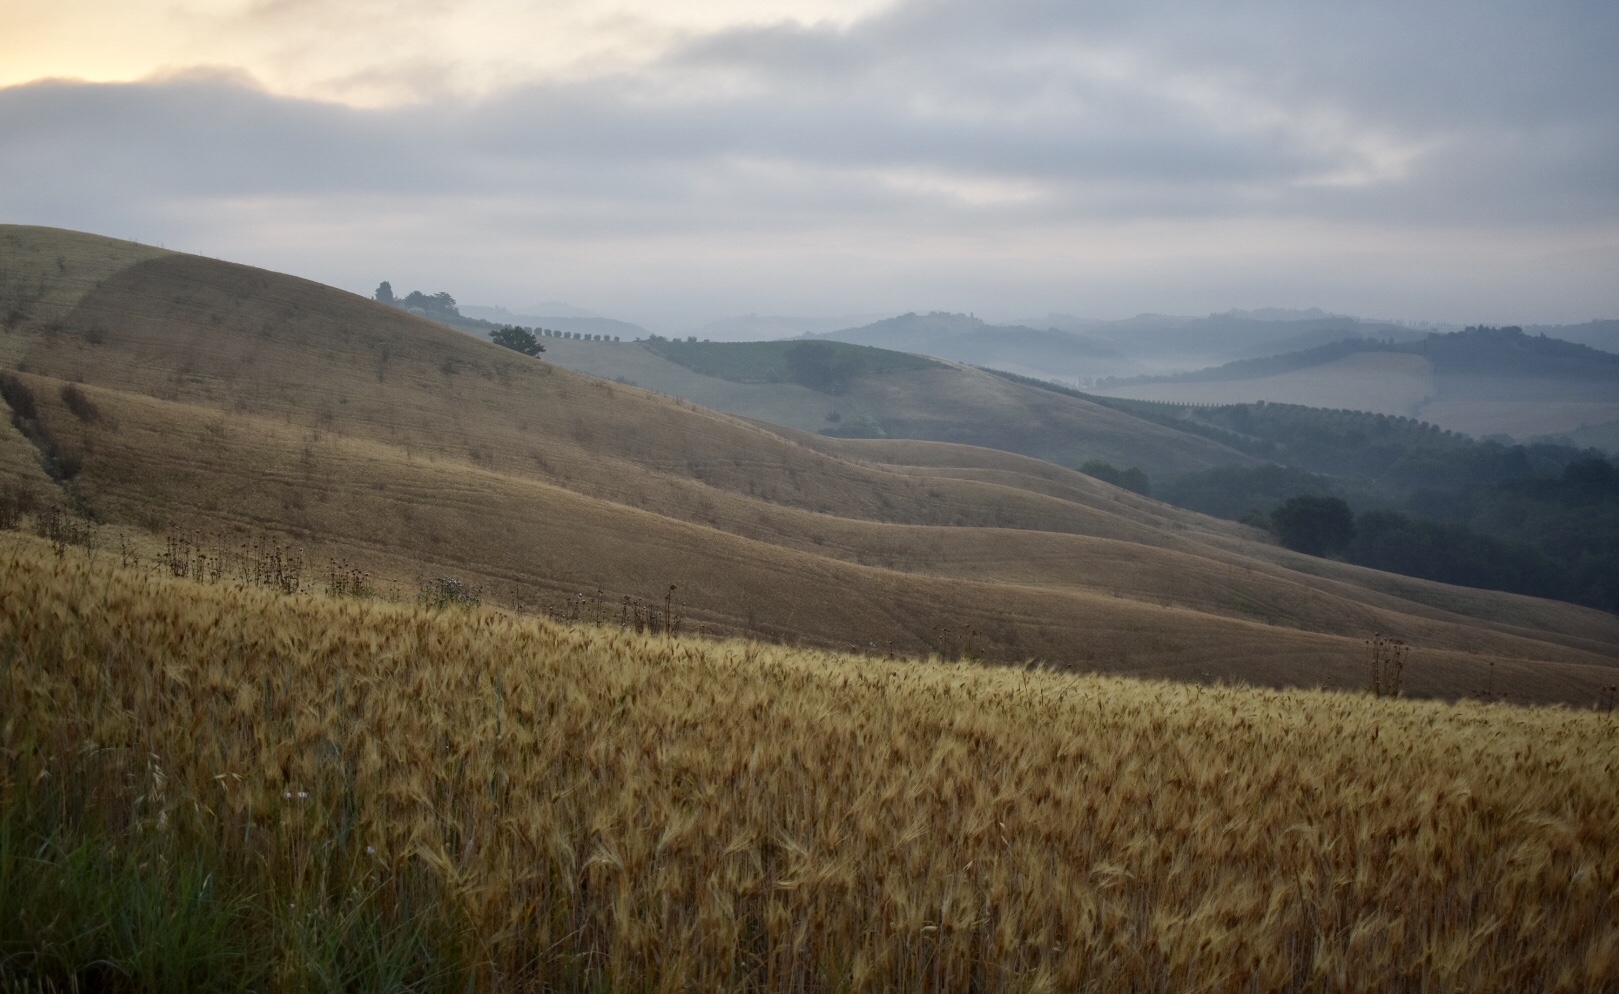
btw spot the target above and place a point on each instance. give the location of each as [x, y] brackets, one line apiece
[155, 906]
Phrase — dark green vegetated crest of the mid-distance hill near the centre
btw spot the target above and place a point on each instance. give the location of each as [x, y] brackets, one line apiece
[823, 367]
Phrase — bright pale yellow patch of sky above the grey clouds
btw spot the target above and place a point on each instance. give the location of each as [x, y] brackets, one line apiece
[373, 53]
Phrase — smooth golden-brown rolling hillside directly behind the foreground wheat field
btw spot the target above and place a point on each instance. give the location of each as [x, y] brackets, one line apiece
[239, 404]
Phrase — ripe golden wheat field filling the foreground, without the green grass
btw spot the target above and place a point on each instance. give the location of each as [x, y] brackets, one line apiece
[524, 805]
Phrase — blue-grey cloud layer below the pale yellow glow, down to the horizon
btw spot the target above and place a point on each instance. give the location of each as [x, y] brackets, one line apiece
[1024, 129]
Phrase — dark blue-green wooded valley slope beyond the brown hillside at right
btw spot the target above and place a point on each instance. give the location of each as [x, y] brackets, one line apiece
[1429, 503]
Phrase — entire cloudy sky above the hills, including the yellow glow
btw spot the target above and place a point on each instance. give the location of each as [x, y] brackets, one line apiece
[1451, 161]
